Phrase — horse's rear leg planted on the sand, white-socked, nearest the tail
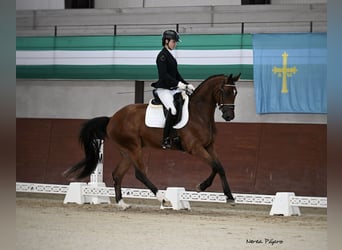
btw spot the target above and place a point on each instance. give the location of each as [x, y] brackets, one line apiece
[118, 175]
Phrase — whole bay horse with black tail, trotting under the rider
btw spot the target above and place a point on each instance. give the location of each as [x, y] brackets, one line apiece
[127, 129]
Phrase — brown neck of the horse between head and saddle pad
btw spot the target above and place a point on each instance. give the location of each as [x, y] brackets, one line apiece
[204, 104]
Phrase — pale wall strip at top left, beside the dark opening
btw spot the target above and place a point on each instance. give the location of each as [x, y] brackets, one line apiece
[39, 4]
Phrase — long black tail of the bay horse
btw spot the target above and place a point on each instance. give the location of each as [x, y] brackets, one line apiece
[91, 132]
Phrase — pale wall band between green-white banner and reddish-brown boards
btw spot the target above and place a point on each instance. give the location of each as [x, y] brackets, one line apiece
[87, 99]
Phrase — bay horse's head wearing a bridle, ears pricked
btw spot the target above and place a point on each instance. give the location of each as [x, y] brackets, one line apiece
[226, 97]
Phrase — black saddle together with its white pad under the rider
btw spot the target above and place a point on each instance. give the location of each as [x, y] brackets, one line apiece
[156, 112]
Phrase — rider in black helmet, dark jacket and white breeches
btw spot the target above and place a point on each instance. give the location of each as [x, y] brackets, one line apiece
[170, 81]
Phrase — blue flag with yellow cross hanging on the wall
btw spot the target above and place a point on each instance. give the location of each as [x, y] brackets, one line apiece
[290, 73]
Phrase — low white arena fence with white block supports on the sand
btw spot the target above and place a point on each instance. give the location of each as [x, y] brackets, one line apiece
[283, 203]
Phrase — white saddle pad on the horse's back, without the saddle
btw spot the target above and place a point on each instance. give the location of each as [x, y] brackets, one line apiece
[154, 116]
